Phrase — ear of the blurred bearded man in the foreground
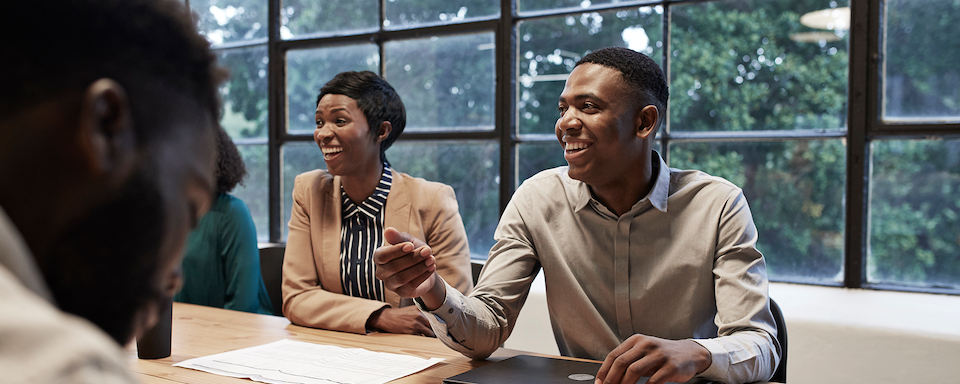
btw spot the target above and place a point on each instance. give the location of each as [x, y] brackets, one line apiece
[106, 135]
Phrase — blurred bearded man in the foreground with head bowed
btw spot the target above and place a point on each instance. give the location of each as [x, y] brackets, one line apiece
[107, 122]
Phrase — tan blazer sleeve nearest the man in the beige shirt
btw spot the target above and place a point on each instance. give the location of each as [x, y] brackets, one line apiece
[448, 240]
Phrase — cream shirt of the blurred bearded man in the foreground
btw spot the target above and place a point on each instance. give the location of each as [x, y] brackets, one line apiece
[38, 342]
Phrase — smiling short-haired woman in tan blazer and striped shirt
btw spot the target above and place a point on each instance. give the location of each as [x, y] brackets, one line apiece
[338, 217]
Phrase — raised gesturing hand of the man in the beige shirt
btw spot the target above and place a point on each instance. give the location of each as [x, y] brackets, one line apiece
[406, 266]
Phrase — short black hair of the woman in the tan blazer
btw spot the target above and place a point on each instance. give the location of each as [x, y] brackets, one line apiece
[376, 98]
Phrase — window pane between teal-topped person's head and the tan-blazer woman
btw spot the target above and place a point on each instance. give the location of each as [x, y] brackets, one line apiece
[254, 190]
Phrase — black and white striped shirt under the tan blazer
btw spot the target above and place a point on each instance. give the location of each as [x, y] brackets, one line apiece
[361, 232]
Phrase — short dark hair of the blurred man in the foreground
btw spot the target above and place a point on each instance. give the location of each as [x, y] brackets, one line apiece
[150, 47]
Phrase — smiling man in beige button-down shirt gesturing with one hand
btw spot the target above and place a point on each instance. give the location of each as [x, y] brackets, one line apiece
[652, 269]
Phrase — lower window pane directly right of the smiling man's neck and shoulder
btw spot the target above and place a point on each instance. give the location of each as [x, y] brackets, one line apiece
[795, 190]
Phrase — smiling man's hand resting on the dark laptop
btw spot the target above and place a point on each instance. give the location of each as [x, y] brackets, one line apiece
[660, 359]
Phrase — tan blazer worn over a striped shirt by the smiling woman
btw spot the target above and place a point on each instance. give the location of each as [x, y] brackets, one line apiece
[312, 293]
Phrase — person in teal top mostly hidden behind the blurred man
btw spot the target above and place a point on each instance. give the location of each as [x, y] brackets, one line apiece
[221, 263]
